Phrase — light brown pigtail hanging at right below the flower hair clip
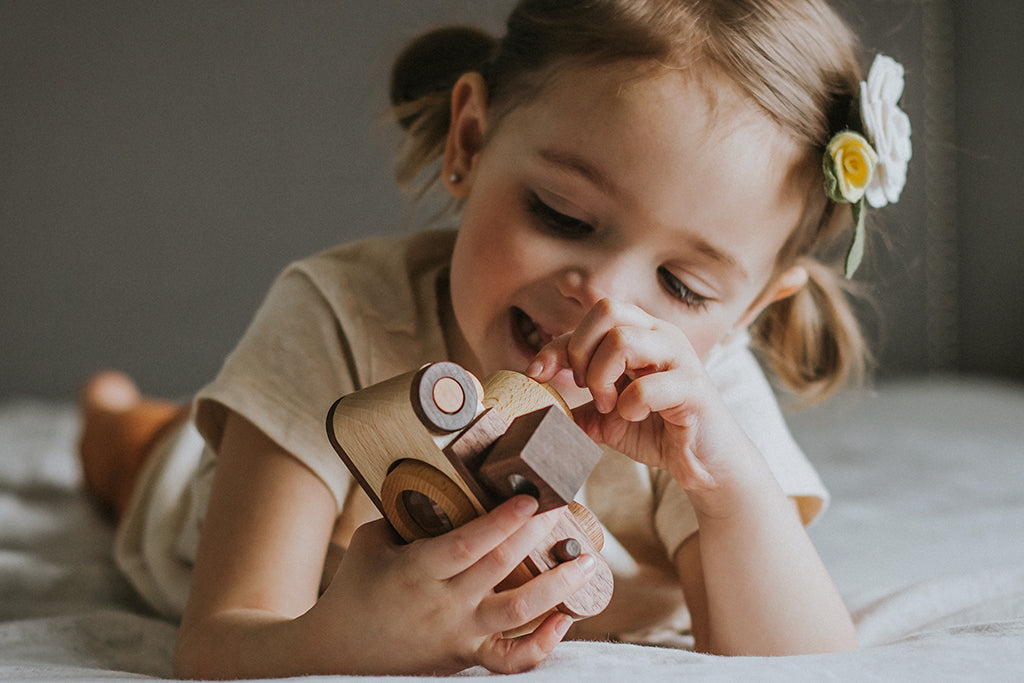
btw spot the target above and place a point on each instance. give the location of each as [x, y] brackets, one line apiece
[812, 341]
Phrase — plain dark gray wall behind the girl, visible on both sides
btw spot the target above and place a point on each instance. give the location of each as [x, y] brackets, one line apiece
[161, 162]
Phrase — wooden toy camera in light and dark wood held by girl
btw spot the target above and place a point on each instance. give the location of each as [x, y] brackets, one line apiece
[435, 449]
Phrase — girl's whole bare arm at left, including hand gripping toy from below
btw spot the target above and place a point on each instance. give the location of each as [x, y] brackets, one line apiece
[426, 607]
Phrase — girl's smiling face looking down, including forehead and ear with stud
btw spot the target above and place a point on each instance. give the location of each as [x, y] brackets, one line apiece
[639, 189]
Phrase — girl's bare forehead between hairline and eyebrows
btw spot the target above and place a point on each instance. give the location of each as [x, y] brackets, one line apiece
[671, 149]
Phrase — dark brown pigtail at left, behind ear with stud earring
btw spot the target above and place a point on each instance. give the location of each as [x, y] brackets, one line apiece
[422, 79]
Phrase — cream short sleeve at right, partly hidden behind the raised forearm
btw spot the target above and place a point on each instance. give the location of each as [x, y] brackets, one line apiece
[750, 398]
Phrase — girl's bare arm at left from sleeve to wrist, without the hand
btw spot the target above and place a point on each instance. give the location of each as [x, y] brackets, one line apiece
[265, 536]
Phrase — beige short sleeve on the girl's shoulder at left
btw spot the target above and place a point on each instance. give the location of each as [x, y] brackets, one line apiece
[292, 364]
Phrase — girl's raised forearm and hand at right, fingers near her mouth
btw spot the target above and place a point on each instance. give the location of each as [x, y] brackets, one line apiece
[753, 578]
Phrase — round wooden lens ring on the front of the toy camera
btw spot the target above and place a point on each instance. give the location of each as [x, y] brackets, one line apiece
[414, 492]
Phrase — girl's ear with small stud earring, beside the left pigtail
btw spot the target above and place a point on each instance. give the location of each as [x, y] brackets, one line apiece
[466, 134]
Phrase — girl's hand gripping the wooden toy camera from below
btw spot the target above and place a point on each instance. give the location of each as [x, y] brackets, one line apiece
[431, 607]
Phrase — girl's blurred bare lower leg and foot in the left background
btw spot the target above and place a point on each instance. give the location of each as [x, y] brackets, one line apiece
[119, 430]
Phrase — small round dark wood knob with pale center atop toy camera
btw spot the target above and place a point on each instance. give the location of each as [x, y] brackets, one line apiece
[444, 397]
